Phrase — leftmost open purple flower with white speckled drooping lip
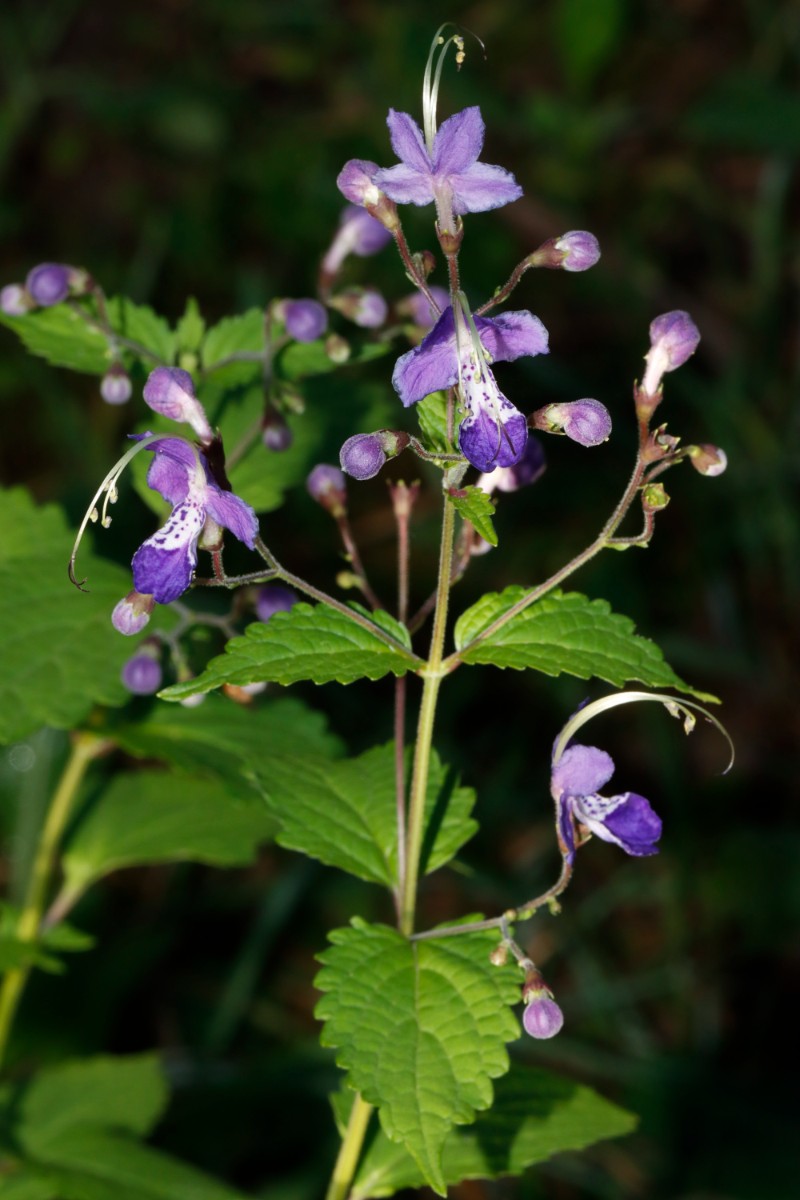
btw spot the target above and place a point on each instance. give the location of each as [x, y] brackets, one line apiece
[165, 563]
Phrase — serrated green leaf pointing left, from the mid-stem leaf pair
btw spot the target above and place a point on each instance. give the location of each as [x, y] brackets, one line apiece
[309, 643]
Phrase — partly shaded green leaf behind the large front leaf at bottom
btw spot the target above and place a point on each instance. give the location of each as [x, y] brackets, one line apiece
[536, 1115]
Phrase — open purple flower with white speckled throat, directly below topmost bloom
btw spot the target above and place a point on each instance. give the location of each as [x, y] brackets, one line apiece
[494, 433]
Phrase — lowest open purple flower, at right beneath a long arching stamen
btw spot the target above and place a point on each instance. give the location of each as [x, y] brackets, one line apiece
[627, 820]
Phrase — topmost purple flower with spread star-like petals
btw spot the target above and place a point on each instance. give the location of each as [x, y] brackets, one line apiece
[448, 172]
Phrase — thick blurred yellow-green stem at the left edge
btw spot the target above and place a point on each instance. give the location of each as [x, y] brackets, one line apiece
[86, 748]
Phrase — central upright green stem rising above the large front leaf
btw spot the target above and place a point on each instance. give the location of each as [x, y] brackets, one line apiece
[434, 675]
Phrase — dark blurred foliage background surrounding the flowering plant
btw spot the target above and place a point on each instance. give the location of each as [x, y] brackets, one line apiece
[190, 147]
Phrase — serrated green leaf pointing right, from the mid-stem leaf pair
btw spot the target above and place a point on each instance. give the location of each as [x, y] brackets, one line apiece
[566, 633]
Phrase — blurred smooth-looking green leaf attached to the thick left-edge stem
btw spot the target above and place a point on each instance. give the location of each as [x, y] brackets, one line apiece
[160, 817]
